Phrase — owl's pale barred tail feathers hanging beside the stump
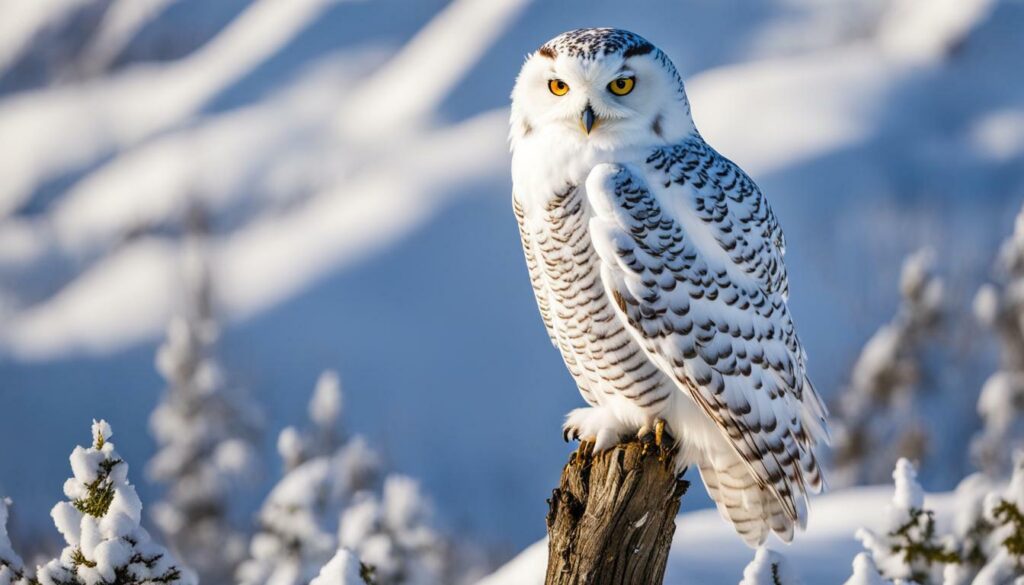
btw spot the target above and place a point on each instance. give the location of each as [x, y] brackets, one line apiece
[753, 511]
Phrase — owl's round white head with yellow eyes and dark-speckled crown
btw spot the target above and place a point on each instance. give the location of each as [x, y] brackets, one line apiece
[608, 88]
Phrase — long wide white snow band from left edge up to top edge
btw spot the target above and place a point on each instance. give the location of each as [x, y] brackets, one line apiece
[103, 116]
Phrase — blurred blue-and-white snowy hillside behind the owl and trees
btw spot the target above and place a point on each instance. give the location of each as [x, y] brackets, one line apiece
[349, 165]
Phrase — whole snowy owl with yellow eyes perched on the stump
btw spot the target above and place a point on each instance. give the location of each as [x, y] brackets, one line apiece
[658, 269]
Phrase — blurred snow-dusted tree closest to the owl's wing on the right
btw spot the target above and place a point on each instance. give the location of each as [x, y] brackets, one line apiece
[878, 413]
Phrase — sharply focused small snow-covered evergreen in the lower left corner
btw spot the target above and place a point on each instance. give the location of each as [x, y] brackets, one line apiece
[100, 522]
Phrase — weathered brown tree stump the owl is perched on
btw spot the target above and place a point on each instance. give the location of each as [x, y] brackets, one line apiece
[611, 522]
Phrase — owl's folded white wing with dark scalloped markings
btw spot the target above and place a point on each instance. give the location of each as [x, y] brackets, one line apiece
[693, 258]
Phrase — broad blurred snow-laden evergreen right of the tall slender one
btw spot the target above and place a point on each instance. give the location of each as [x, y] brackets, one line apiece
[333, 496]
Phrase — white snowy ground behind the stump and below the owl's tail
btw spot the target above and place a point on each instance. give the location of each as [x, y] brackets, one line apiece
[705, 550]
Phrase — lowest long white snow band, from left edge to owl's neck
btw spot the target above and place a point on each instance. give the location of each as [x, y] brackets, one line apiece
[329, 231]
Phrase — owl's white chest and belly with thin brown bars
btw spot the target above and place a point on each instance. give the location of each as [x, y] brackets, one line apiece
[609, 365]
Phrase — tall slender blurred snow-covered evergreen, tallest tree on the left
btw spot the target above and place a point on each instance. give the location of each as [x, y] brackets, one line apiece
[204, 430]
